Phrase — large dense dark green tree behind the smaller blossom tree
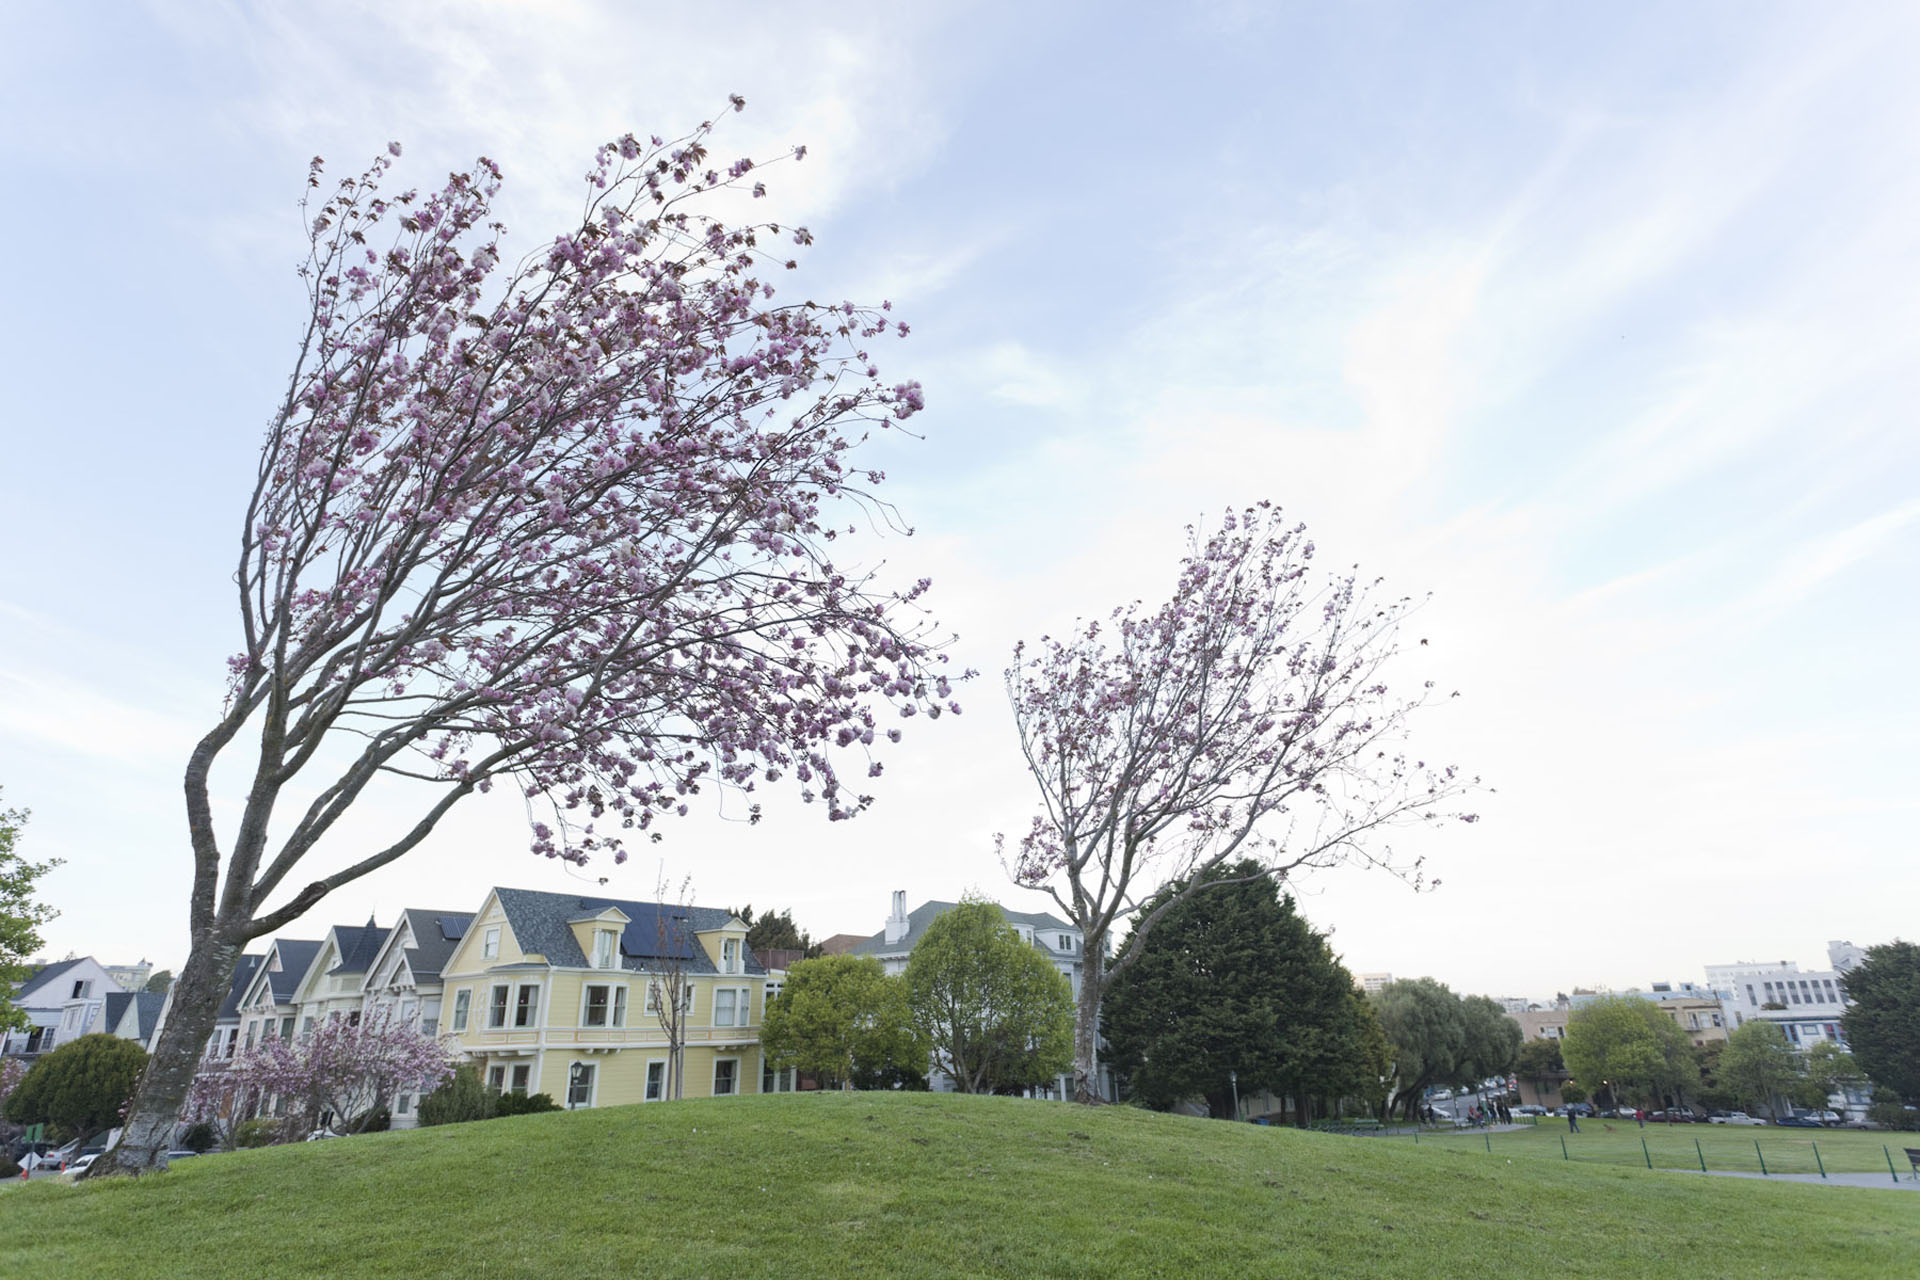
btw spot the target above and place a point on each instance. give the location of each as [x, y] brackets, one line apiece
[1237, 982]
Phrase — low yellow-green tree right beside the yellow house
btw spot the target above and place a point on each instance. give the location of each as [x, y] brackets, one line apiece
[842, 1018]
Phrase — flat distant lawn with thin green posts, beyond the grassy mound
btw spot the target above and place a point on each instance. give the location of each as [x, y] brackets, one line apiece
[1673, 1147]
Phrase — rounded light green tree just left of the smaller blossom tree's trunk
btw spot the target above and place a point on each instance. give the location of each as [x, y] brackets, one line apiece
[996, 1012]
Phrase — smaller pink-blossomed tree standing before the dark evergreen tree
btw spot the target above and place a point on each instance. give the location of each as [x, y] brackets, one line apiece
[1245, 719]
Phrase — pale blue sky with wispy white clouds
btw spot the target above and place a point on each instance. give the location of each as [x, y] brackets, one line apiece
[1595, 323]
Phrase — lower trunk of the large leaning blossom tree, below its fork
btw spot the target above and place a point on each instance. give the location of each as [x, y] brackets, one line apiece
[162, 1091]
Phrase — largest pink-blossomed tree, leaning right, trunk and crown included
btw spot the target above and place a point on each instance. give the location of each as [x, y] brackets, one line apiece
[564, 525]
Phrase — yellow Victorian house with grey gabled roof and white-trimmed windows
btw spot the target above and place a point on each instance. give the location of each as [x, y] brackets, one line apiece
[588, 999]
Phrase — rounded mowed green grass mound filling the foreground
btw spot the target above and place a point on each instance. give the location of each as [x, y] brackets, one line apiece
[917, 1185]
